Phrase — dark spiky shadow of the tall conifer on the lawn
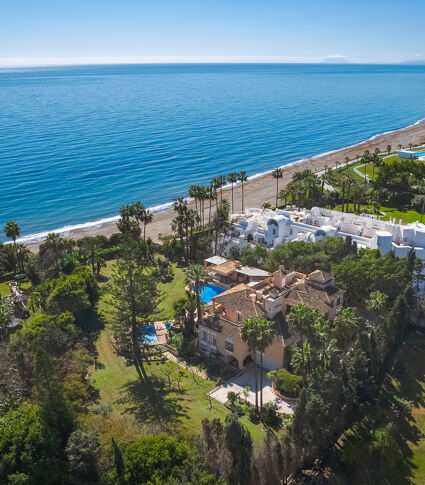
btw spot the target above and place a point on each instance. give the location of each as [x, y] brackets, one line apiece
[151, 401]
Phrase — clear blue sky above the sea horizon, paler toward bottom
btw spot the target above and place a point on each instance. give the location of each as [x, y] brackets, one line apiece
[270, 30]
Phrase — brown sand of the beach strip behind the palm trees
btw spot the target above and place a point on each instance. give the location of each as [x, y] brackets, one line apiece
[263, 189]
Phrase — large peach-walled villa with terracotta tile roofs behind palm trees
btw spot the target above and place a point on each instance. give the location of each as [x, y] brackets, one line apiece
[271, 298]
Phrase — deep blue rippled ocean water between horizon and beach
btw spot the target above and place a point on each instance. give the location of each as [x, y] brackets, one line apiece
[78, 142]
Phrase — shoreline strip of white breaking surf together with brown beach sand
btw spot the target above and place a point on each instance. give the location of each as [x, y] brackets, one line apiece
[259, 188]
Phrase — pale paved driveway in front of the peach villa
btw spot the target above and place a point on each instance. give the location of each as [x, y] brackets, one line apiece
[247, 379]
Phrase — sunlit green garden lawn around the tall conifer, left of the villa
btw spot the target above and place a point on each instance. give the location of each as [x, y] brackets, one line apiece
[179, 407]
